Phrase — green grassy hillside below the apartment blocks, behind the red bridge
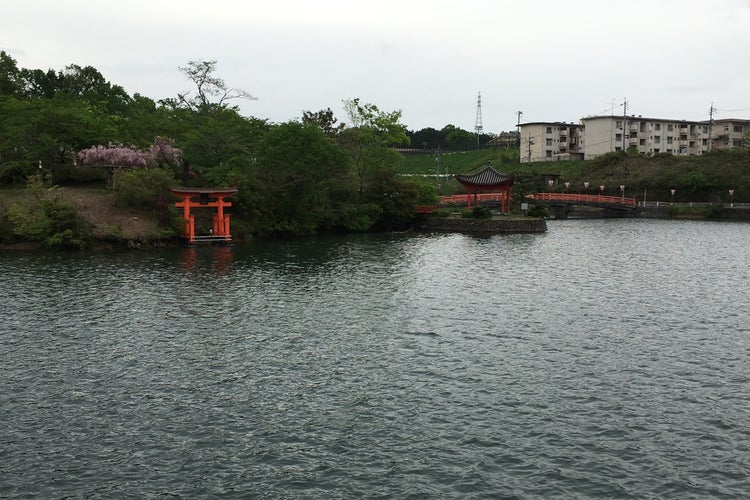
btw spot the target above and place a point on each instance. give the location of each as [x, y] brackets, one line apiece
[706, 178]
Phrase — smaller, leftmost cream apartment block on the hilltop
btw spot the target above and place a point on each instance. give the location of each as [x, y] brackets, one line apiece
[550, 141]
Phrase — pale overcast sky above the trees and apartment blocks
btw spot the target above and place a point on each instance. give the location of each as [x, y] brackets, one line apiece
[554, 60]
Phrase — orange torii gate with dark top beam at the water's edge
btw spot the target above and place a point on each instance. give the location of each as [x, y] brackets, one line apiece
[207, 197]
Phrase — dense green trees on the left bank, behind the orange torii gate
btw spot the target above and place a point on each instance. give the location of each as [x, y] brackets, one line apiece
[297, 177]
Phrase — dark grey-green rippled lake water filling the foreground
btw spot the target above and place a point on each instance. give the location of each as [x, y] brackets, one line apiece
[602, 359]
